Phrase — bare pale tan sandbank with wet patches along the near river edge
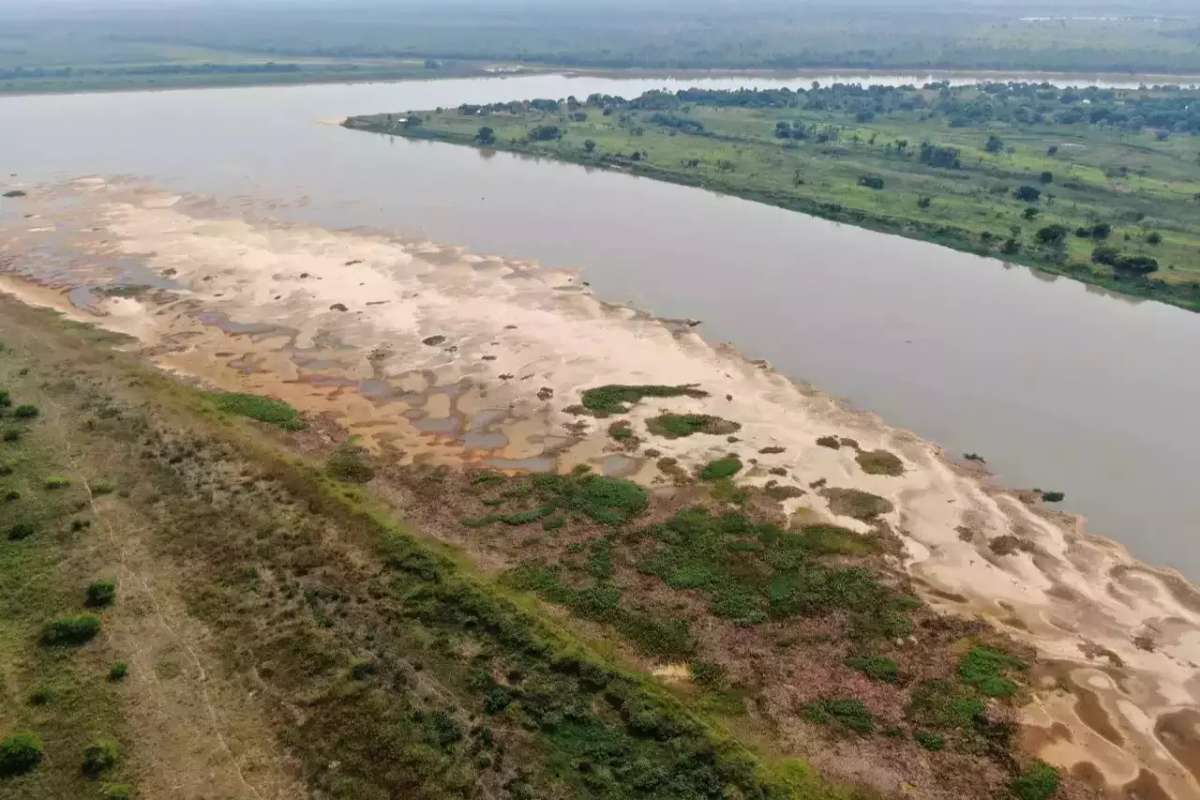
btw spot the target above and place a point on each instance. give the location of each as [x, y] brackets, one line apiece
[431, 354]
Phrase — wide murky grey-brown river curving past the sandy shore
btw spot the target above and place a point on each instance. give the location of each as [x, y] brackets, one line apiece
[1060, 387]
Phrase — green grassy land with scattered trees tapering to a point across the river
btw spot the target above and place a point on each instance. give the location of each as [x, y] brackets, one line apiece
[1103, 187]
